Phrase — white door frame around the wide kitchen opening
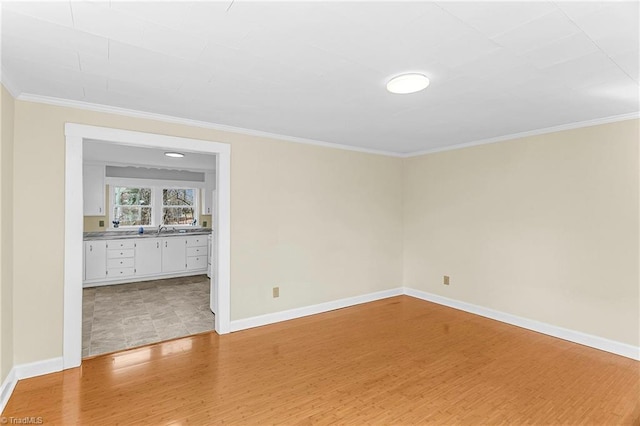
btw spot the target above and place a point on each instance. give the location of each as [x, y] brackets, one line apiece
[75, 134]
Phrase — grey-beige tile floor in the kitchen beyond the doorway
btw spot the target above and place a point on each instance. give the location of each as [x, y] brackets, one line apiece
[123, 316]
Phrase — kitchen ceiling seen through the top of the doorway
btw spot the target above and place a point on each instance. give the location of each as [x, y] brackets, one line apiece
[125, 155]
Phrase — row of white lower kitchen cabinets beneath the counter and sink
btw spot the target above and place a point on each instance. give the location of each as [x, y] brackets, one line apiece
[108, 261]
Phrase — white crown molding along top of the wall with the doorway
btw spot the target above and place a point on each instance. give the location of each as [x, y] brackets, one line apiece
[193, 123]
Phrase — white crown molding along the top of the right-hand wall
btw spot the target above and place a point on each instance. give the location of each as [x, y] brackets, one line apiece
[560, 128]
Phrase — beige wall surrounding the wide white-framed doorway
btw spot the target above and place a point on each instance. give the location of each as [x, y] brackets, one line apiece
[320, 223]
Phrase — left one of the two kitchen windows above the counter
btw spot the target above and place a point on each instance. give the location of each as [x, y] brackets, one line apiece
[132, 206]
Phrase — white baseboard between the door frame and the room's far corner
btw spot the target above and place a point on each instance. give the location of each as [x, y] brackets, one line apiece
[290, 314]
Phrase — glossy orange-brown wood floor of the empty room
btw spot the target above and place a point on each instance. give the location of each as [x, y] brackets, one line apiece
[395, 361]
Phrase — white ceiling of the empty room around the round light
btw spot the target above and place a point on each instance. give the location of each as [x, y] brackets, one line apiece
[317, 70]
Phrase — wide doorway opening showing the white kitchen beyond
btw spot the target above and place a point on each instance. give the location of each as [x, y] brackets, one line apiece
[147, 237]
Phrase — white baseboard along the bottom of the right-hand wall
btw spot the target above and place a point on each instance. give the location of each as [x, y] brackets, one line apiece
[590, 340]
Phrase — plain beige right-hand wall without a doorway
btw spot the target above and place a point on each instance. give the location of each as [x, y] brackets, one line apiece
[544, 227]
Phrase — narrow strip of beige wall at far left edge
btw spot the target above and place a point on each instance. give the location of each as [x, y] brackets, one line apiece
[6, 234]
